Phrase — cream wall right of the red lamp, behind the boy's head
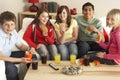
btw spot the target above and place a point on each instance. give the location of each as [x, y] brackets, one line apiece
[101, 6]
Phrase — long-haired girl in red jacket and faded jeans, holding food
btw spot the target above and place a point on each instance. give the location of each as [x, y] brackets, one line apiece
[40, 35]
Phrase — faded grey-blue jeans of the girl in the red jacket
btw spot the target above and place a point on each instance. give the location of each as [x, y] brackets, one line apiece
[49, 50]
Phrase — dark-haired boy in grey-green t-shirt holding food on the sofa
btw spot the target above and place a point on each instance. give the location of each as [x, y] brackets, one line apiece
[89, 28]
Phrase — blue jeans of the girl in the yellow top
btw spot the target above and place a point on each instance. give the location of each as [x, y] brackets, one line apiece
[66, 49]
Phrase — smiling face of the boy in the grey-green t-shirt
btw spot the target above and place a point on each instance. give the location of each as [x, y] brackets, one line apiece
[88, 13]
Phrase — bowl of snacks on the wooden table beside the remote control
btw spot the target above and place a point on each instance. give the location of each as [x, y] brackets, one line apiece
[71, 70]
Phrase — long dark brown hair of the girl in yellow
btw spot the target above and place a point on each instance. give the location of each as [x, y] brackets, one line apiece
[59, 11]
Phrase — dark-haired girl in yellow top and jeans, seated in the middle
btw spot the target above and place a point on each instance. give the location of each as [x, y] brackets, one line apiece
[66, 32]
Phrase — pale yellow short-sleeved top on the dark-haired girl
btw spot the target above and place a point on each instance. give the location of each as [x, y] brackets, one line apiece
[69, 32]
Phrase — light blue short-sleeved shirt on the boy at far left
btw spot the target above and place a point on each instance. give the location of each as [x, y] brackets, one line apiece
[7, 44]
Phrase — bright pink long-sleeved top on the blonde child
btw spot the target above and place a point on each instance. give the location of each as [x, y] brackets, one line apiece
[113, 47]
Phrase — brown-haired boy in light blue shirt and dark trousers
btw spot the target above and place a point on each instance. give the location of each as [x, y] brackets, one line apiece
[8, 39]
